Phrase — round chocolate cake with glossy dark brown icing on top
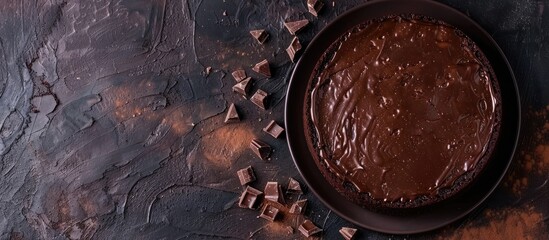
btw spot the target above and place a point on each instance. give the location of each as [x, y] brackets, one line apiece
[403, 112]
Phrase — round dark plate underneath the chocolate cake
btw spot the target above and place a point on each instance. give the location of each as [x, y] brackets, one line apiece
[410, 220]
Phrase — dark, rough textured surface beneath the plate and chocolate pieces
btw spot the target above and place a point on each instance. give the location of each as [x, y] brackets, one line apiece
[110, 127]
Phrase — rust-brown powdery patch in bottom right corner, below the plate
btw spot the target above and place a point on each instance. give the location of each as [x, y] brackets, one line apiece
[524, 223]
